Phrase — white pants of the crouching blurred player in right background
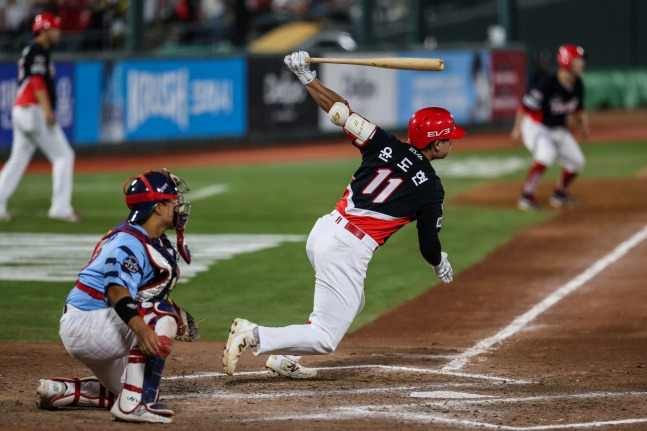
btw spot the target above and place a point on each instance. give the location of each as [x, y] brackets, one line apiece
[548, 145]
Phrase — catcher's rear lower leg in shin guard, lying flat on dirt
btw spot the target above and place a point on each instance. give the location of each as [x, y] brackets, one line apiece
[60, 392]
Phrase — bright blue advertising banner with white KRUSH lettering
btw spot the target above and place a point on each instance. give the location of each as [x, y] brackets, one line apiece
[194, 98]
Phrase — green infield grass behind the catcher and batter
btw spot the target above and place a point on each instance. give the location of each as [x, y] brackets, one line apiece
[275, 286]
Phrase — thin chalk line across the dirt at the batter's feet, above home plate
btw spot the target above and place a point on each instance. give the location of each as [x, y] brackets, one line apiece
[387, 368]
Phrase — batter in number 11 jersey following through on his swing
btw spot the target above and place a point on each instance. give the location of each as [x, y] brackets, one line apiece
[394, 185]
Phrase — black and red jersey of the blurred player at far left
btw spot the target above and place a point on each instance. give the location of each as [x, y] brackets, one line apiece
[35, 72]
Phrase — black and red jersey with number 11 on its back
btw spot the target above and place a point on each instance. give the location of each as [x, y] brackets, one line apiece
[394, 185]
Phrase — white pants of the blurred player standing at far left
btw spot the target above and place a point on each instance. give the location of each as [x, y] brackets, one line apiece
[31, 131]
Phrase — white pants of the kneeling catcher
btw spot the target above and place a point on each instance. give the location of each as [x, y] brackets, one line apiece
[101, 341]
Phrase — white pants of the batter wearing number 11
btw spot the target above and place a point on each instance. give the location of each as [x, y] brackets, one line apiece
[340, 260]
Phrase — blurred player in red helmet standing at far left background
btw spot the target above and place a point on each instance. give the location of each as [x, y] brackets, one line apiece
[35, 125]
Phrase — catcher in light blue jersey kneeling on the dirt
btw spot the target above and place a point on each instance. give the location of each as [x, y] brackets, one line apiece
[118, 320]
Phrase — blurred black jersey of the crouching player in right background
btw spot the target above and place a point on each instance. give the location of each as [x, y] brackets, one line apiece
[551, 103]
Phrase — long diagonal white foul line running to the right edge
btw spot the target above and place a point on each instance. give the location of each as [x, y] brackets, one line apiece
[486, 344]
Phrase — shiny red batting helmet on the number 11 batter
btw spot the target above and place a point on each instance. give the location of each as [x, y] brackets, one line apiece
[430, 124]
